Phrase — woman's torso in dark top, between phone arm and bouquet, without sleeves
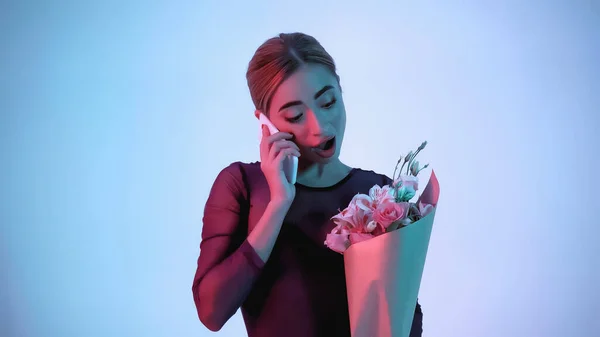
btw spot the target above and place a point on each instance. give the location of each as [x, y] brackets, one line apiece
[301, 290]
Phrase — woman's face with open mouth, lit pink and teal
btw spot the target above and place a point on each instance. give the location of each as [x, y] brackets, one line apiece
[309, 105]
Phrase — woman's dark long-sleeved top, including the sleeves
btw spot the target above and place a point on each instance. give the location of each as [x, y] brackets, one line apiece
[300, 291]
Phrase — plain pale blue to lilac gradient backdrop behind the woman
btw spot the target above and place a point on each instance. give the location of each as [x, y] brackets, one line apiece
[116, 118]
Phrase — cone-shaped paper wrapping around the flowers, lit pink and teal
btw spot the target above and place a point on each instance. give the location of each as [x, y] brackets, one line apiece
[383, 276]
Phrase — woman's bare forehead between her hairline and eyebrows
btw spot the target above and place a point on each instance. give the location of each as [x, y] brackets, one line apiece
[303, 84]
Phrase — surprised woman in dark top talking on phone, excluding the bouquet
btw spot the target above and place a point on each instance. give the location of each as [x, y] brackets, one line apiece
[262, 244]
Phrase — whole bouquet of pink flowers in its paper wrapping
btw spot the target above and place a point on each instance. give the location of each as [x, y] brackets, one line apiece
[384, 238]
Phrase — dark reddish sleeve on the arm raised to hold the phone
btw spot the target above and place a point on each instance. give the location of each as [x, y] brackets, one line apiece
[228, 265]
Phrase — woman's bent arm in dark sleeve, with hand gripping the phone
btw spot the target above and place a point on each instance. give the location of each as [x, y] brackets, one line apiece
[230, 262]
